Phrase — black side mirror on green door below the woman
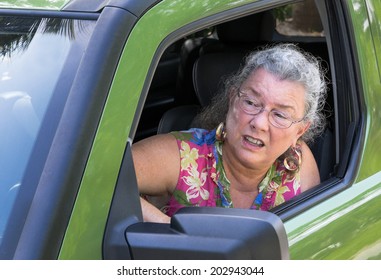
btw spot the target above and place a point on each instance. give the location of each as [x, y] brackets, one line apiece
[211, 233]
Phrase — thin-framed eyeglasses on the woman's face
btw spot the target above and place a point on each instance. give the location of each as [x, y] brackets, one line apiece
[254, 107]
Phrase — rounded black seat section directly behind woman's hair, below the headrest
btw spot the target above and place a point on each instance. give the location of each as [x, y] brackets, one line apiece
[209, 72]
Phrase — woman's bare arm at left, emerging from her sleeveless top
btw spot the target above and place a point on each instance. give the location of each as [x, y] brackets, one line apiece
[157, 167]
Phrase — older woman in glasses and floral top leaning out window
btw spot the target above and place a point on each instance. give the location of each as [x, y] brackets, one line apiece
[253, 152]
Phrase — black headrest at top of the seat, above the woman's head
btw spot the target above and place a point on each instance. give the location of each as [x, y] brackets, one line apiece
[249, 29]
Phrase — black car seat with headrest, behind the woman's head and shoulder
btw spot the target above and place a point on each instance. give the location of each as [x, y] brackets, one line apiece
[205, 61]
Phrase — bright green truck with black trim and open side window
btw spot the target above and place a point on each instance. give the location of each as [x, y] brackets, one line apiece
[83, 80]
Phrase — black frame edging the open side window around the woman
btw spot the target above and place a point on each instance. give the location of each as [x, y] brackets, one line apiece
[348, 139]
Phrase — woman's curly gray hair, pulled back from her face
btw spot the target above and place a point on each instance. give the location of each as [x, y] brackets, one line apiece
[287, 62]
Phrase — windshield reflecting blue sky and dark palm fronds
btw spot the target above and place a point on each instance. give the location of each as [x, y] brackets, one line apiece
[35, 54]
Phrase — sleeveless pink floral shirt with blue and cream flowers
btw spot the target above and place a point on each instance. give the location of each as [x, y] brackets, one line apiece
[203, 182]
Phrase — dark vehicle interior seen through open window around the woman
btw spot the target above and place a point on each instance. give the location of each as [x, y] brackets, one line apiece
[191, 70]
